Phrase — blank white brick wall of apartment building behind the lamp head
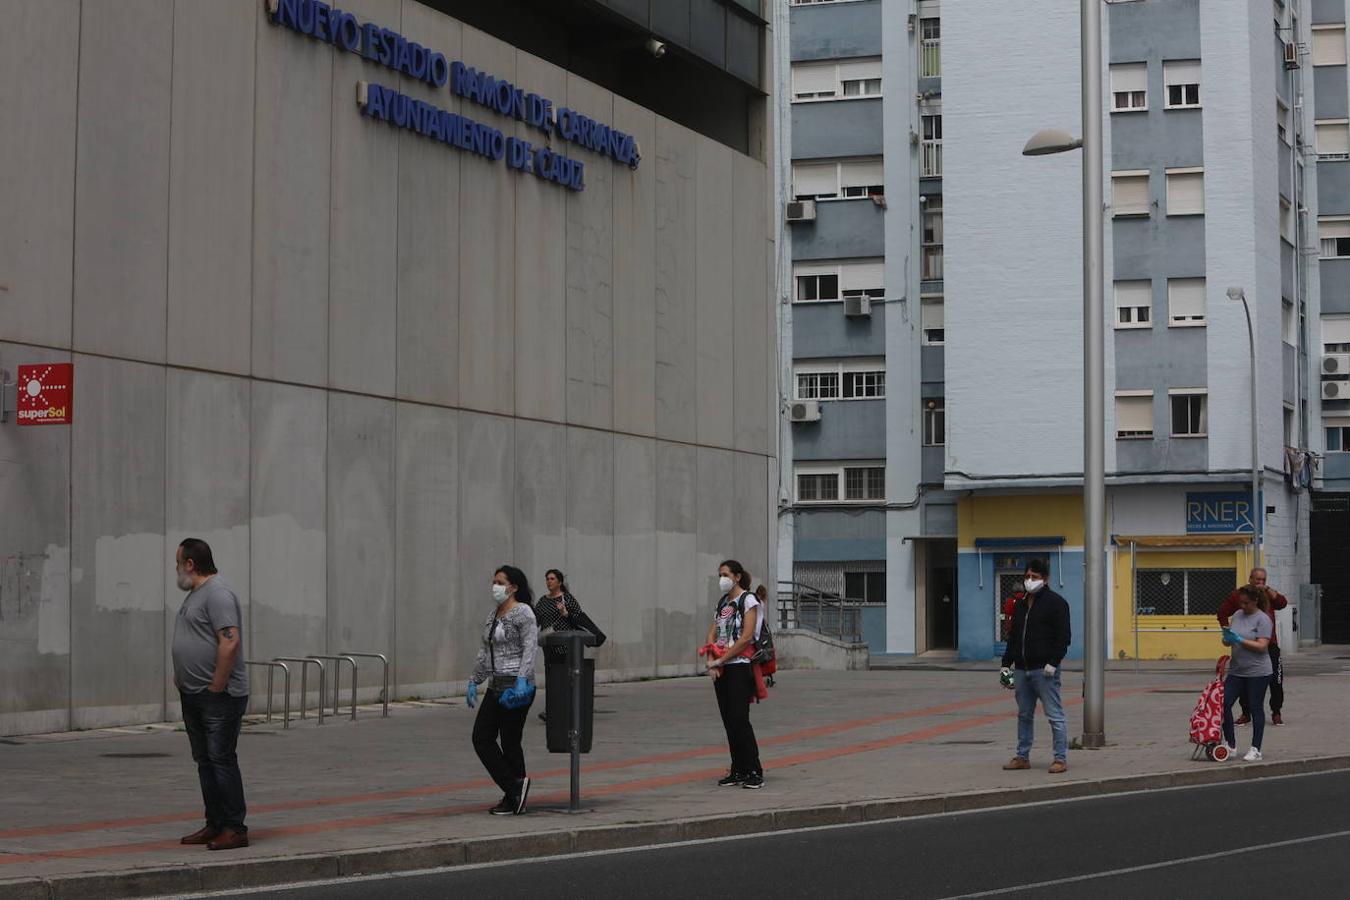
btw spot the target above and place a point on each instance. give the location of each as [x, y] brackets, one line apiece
[1013, 233]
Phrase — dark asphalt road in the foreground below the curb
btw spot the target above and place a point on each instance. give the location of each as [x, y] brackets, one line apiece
[1195, 843]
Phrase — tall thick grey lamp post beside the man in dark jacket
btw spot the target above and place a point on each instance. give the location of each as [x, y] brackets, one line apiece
[1094, 372]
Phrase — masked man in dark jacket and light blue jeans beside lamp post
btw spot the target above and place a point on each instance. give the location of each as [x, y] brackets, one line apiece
[1037, 644]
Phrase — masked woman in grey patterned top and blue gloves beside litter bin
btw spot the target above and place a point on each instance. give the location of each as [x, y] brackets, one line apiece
[507, 663]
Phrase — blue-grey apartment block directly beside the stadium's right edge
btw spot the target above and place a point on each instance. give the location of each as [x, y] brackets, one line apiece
[863, 511]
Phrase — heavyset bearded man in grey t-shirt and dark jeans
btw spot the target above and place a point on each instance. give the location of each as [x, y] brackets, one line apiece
[213, 681]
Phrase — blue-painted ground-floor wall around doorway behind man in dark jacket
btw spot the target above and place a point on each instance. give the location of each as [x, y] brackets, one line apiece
[978, 605]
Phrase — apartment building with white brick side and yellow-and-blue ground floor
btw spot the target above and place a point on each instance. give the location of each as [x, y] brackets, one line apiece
[1212, 184]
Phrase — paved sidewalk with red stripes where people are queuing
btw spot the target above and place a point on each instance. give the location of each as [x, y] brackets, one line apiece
[99, 814]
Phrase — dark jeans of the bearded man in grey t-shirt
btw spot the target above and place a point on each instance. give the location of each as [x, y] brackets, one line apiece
[214, 723]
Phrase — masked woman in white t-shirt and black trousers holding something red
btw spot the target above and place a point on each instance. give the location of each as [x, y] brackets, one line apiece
[731, 644]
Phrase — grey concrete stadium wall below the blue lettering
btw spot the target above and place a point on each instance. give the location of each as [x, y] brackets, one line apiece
[367, 368]
